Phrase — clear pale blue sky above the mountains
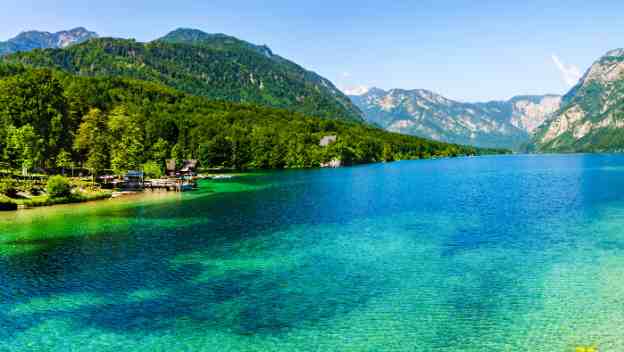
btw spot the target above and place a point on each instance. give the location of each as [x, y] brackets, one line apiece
[466, 50]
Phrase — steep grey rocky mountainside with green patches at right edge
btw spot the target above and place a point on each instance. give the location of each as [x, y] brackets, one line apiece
[592, 115]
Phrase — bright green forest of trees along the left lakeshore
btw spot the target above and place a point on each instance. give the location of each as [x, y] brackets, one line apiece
[51, 119]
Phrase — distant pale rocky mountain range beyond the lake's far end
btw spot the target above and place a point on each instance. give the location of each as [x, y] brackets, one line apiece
[496, 124]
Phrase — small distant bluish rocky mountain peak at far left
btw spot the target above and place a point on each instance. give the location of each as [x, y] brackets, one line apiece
[27, 41]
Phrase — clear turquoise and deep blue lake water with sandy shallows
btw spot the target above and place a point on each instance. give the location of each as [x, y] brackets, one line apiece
[510, 253]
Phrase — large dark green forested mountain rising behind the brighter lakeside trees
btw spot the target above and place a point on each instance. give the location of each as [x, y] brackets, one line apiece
[216, 66]
